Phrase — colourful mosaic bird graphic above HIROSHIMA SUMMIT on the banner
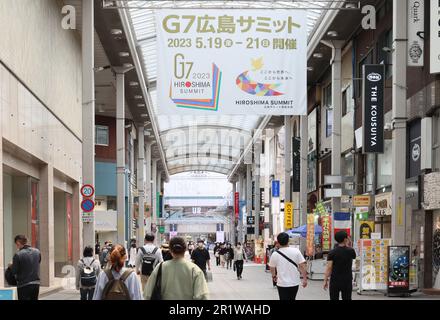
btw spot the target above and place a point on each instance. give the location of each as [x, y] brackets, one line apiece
[245, 83]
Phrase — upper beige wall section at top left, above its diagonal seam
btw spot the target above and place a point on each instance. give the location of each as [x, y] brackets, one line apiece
[43, 55]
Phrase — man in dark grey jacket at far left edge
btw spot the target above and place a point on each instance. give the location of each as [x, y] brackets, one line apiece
[25, 268]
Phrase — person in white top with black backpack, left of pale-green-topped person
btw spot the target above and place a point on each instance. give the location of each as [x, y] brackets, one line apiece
[149, 256]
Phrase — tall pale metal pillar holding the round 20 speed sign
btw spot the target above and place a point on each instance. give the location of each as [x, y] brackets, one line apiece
[88, 109]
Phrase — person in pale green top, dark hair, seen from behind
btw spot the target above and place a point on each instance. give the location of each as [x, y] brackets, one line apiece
[177, 279]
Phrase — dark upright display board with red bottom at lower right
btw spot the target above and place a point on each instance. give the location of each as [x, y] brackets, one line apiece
[398, 269]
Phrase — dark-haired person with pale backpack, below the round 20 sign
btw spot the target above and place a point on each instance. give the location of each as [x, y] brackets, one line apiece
[88, 269]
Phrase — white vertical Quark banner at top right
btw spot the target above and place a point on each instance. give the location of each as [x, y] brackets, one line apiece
[416, 26]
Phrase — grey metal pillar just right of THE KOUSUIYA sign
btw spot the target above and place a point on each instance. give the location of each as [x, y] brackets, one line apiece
[398, 220]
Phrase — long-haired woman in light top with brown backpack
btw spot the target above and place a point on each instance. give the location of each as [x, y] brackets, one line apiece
[118, 282]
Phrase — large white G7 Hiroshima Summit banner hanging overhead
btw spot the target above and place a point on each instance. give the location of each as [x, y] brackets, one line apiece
[231, 62]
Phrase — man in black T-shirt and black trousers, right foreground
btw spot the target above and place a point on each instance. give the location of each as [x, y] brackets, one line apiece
[339, 268]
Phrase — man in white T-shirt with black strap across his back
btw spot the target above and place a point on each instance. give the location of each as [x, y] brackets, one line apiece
[286, 265]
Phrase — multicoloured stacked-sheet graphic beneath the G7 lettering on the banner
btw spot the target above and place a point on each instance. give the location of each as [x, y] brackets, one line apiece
[203, 104]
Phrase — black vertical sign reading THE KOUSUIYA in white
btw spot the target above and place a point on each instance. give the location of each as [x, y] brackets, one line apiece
[372, 111]
